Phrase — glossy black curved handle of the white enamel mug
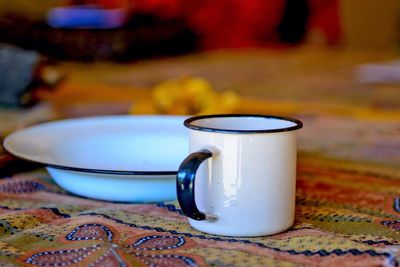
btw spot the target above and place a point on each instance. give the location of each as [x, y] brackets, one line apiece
[185, 185]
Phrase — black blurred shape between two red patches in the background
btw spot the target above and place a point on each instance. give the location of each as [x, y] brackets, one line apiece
[293, 26]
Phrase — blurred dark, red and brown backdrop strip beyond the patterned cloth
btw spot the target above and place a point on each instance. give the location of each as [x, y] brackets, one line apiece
[127, 29]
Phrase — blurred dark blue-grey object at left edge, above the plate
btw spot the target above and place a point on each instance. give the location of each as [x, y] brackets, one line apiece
[17, 69]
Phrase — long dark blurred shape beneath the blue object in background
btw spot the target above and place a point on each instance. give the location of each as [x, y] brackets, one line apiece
[142, 37]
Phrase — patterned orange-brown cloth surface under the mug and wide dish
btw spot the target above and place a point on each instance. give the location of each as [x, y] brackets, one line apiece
[348, 184]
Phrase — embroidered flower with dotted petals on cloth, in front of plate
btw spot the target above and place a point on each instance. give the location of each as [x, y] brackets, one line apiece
[148, 250]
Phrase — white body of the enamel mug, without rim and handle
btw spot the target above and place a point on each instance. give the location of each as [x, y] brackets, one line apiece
[249, 183]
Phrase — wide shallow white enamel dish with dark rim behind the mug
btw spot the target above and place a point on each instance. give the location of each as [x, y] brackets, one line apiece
[117, 158]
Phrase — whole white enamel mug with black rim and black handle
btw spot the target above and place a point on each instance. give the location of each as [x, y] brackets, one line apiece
[240, 178]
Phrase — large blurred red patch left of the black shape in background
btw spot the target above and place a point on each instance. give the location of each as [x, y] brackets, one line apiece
[221, 23]
